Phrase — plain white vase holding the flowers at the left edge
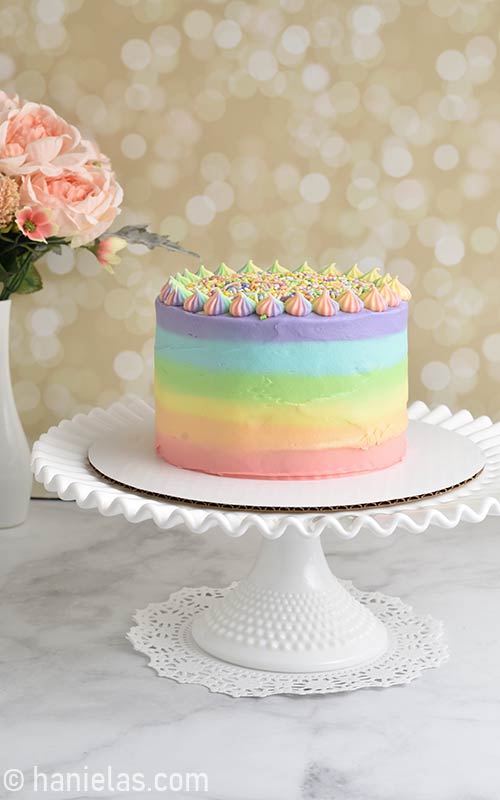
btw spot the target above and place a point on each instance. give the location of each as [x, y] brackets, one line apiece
[15, 472]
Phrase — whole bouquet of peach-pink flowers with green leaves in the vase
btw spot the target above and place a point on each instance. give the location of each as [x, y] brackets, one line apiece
[56, 189]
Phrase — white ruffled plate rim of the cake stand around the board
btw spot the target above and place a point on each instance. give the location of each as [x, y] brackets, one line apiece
[59, 461]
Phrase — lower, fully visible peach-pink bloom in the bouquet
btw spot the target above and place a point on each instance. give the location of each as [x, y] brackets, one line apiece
[84, 202]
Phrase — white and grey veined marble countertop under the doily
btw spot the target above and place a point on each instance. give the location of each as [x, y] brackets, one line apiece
[74, 695]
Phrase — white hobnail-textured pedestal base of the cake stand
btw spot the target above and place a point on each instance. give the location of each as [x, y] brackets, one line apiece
[290, 614]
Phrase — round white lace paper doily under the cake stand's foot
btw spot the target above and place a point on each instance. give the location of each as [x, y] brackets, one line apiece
[163, 634]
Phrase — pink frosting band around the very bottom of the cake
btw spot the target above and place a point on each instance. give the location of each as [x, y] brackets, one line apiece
[277, 465]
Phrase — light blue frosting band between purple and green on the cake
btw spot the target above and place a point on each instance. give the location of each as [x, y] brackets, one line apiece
[343, 357]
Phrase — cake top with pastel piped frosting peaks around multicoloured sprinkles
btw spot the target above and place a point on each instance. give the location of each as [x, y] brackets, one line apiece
[269, 293]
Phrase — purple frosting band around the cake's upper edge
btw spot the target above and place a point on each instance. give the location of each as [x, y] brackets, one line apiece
[284, 328]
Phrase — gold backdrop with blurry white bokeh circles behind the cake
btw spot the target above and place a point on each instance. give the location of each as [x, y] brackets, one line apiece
[303, 129]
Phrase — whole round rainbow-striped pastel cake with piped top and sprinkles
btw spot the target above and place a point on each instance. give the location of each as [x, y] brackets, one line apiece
[279, 374]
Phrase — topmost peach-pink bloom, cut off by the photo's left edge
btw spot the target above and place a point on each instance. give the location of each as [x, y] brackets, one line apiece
[33, 138]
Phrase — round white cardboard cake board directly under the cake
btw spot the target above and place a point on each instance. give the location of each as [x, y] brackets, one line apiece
[437, 460]
